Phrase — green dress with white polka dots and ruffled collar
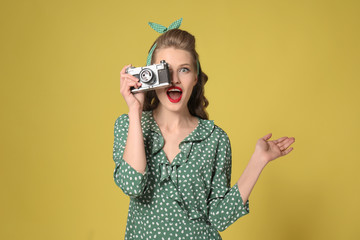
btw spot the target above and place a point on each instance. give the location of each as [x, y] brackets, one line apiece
[191, 197]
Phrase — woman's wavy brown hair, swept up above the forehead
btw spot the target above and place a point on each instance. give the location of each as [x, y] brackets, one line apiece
[181, 39]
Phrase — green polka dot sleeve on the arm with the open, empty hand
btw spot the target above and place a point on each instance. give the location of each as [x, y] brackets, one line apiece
[225, 204]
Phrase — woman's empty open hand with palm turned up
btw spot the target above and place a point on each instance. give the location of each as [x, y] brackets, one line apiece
[267, 151]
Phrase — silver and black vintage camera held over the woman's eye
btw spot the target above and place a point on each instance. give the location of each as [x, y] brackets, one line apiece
[151, 77]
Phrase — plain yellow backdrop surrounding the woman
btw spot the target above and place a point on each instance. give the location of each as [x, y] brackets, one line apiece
[286, 67]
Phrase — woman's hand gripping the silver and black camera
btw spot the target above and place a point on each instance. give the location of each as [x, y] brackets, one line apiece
[134, 101]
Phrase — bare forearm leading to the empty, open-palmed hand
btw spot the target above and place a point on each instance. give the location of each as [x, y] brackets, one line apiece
[249, 177]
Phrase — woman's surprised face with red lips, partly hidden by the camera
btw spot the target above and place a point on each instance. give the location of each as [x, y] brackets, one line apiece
[183, 77]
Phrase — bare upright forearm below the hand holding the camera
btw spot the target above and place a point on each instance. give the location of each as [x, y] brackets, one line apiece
[134, 153]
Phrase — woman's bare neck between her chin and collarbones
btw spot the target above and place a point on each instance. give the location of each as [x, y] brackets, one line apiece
[171, 121]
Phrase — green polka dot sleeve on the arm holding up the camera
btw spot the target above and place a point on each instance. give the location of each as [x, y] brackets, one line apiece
[126, 177]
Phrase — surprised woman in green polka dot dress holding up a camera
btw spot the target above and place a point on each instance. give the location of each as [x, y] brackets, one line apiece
[172, 161]
